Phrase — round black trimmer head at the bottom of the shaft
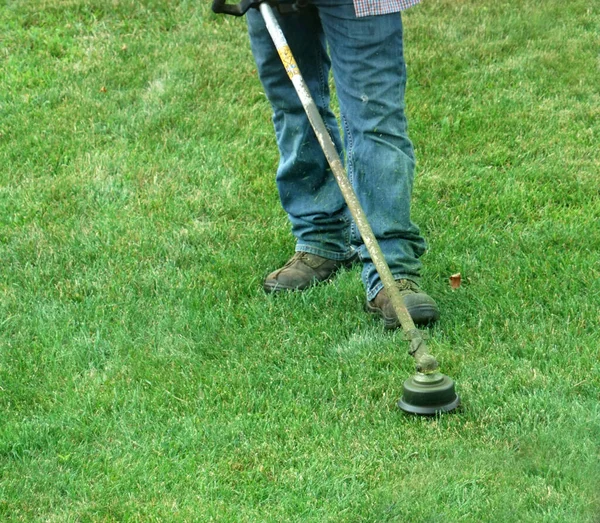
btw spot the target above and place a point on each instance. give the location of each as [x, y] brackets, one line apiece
[429, 394]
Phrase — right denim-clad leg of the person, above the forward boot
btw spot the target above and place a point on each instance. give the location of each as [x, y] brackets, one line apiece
[370, 77]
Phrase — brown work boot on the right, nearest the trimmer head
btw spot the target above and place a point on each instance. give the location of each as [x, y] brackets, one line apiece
[421, 307]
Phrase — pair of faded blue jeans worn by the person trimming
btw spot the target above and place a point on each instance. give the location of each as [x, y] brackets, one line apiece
[366, 55]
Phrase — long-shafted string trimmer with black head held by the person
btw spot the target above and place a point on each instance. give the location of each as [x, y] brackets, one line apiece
[428, 391]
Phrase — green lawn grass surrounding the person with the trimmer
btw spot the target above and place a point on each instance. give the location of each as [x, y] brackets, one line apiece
[145, 376]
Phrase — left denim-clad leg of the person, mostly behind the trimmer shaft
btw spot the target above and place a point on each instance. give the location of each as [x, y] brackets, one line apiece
[307, 189]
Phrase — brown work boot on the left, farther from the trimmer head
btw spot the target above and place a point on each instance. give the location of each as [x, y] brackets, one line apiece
[304, 270]
